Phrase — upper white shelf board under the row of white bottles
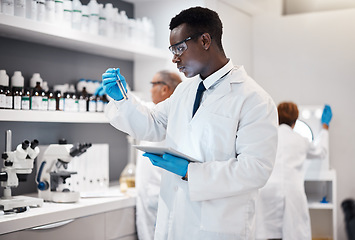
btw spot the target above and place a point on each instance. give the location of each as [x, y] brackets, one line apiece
[54, 35]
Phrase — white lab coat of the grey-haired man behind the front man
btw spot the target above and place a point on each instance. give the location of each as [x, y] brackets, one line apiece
[148, 178]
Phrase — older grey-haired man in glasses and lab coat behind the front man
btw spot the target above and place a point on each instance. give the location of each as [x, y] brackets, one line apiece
[148, 176]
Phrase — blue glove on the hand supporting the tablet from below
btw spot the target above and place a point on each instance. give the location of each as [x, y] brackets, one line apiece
[169, 162]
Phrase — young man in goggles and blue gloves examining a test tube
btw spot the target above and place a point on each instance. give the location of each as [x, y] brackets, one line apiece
[221, 117]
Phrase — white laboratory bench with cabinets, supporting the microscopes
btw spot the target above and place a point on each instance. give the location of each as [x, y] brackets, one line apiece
[102, 216]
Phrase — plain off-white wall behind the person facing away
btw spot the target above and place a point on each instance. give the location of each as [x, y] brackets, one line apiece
[309, 59]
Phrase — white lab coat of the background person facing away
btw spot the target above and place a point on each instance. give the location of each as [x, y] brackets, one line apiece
[282, 209]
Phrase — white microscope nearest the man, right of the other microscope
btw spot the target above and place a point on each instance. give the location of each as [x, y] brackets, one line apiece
[53, 176]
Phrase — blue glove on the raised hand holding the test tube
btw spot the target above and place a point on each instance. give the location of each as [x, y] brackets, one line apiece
[109, 83]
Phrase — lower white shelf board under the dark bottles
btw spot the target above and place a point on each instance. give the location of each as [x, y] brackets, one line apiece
[52, 116]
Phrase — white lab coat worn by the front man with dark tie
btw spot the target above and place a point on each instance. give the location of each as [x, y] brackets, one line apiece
[234, 136]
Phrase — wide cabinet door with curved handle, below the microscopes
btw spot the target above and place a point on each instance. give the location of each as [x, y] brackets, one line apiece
[91, 227]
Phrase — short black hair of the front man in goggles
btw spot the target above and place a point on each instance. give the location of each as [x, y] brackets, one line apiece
[200, 20]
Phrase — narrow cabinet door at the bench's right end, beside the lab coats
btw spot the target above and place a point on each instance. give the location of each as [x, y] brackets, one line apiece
[121, 224]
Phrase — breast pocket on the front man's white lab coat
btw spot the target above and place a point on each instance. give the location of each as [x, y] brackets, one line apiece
[220, 134]
